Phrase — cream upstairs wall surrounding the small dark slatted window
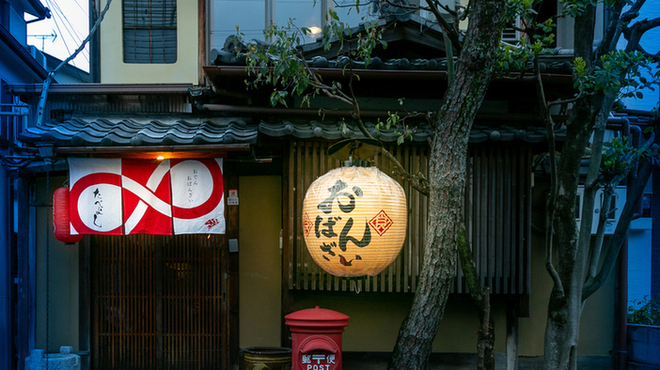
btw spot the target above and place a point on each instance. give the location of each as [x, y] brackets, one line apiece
[185, 70]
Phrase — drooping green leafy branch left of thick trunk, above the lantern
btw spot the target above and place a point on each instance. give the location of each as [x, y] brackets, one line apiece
[282, 66]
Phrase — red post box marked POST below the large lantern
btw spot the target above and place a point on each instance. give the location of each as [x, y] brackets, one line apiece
[316, 338]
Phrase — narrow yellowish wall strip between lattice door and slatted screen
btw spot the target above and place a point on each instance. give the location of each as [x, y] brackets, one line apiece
[260, 261]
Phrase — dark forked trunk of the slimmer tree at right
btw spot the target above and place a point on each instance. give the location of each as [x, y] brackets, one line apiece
[570, 246]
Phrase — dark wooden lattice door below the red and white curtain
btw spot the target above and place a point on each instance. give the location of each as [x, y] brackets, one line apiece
[157, 302]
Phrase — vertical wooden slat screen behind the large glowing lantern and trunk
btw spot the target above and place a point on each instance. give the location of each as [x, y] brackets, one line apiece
[498, 210]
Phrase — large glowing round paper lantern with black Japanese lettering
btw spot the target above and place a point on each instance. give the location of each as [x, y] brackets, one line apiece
[354, 221]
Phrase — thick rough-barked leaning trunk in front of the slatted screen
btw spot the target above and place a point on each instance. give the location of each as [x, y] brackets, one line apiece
[447, 183]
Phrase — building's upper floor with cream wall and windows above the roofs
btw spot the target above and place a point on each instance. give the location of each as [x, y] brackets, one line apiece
[170, 41]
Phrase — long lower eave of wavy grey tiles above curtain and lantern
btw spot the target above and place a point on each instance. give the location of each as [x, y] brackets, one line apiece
[131, 132]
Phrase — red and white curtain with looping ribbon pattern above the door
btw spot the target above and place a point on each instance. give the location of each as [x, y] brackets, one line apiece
[132, 196]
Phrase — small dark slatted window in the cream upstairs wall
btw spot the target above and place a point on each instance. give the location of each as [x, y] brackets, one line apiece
[150, 32]
